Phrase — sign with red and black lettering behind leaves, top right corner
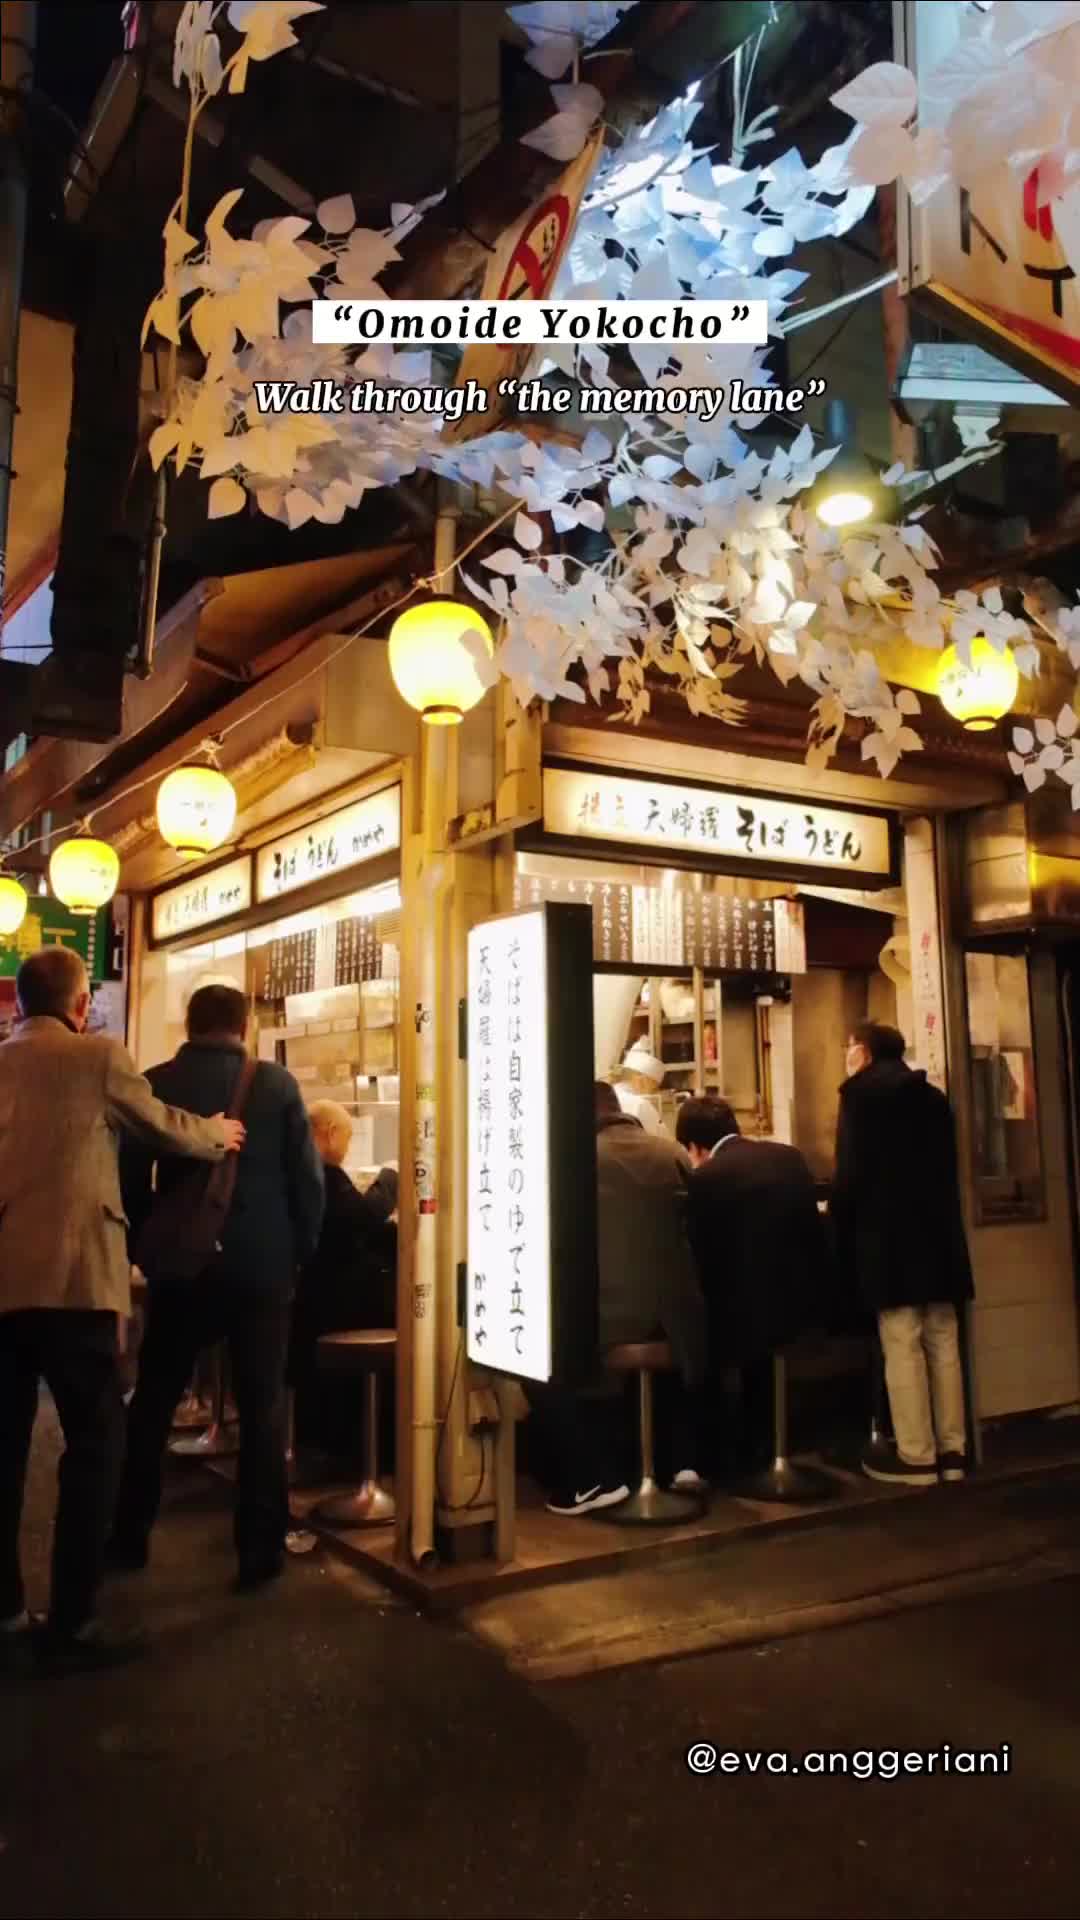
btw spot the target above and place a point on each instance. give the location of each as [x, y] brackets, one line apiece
[994, 254]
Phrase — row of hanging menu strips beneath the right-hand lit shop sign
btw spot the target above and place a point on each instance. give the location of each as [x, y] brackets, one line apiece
[675, 928]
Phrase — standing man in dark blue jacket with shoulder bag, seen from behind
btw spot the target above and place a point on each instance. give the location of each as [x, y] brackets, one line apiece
[243, 1299]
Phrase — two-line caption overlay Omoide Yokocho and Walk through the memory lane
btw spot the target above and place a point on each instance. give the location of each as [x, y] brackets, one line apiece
[512, 325]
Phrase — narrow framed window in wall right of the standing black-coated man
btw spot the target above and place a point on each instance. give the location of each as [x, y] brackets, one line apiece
[1006, 1126]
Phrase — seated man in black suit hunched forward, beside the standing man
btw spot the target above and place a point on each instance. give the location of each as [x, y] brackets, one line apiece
[760, 1249]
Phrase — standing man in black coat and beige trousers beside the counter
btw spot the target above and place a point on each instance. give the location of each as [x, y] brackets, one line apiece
[900, 1245]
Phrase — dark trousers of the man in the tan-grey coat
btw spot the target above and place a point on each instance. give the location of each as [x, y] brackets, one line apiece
[76, 1353]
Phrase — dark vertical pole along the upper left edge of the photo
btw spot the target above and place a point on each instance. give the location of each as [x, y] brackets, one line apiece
[18, 37]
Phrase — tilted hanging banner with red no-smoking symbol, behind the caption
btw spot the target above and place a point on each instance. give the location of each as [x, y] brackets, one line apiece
[524, 266]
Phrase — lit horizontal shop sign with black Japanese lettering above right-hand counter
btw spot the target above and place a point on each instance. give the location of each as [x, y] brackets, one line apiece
[716, 823]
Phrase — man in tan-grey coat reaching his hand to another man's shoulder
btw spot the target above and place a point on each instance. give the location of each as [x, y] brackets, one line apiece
[64, 1278]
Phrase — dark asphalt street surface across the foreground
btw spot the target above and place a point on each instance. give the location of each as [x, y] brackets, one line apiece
[322, 1750]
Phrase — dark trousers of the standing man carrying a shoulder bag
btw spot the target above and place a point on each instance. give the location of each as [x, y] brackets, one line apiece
[182, 1320]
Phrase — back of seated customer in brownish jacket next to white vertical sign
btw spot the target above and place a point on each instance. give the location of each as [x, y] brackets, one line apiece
[647, 1270]
